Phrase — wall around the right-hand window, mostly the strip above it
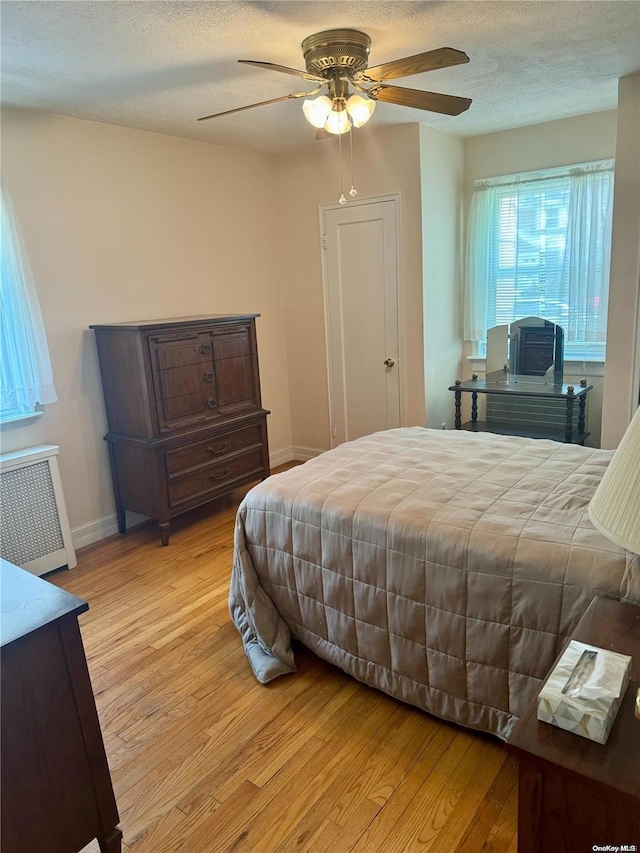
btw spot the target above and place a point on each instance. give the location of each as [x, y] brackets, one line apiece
[579, 139]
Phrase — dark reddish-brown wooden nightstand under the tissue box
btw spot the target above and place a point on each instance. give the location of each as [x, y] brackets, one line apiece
[575, 793]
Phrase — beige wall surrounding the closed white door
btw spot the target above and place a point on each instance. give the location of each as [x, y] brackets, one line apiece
[385, 162]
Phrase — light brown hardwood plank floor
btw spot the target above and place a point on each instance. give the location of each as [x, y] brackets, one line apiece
[203, 758]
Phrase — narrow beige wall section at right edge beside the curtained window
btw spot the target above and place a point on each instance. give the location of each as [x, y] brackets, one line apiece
[623, 330]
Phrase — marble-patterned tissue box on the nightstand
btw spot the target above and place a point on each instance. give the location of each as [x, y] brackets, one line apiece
[584, 691]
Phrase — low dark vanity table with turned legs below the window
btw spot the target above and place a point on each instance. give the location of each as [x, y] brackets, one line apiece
[529, 409]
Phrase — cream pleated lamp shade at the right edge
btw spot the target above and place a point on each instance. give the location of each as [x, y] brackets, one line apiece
[615, 507]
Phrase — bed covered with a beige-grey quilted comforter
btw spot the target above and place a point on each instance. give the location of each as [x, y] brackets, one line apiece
[445, 568]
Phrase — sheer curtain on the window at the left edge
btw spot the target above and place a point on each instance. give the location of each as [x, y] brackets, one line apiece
[26, 378]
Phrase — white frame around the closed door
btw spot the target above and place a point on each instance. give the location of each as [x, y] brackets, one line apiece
[323, 208]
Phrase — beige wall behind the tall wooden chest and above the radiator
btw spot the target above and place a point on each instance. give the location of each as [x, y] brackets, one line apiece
[120, 225]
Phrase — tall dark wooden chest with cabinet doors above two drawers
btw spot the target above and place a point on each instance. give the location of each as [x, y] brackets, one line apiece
[186, 423]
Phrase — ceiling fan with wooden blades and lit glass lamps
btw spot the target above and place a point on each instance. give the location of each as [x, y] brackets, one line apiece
[338, 60]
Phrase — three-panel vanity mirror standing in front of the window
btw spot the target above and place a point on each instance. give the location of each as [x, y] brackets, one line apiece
[529, 350]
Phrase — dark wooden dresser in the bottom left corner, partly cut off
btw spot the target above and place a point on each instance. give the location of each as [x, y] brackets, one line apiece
[56, 786]
